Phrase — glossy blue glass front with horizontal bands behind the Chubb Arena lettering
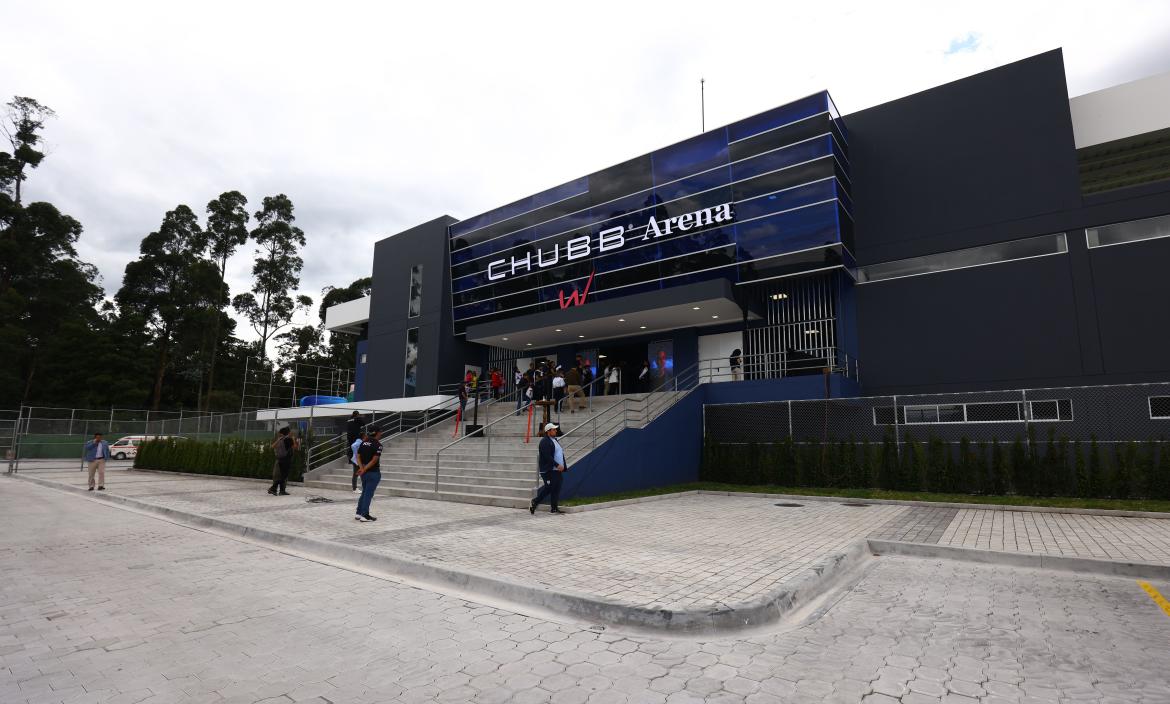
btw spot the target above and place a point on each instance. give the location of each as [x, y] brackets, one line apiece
[738, 203]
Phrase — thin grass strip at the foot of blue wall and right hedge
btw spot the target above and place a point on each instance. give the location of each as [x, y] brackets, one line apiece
[1116, 505]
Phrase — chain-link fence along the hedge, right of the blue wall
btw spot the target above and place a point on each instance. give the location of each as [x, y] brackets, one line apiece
[1091, 441]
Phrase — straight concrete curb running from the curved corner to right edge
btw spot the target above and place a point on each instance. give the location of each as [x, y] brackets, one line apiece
[1021, 560]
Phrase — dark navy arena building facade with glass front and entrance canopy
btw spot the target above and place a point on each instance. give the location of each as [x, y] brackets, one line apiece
[959, 239]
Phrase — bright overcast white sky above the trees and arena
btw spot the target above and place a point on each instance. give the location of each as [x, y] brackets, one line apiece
[375, 118]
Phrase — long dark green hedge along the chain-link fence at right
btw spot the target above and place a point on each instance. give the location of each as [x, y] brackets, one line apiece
[1024, 466]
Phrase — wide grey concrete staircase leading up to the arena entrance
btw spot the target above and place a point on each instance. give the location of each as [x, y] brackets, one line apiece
[510, 477]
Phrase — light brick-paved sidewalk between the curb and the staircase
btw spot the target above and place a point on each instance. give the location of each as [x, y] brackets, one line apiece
[693, 555]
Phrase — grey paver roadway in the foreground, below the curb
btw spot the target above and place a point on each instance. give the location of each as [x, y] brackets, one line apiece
[99, 604]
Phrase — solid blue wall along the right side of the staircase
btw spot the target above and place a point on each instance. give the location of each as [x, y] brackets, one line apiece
[670, 450]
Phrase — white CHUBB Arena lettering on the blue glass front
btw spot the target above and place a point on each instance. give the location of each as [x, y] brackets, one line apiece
[609, 240]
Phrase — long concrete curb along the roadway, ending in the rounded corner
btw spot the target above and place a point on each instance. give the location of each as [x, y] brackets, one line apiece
[768, 611]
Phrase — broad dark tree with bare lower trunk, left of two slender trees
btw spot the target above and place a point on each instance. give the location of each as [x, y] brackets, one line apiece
[169, 288]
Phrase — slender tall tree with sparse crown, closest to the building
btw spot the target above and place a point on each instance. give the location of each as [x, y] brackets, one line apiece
[271, 306]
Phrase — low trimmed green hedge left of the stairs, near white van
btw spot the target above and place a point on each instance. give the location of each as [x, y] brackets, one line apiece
[228, 458]
